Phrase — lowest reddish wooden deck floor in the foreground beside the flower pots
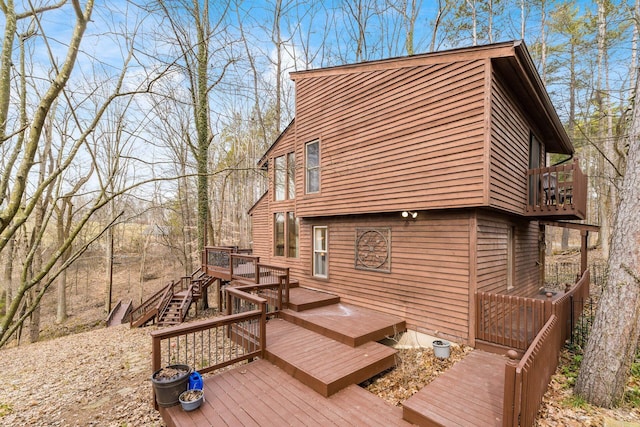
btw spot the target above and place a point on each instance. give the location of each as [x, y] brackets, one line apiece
[261, 394]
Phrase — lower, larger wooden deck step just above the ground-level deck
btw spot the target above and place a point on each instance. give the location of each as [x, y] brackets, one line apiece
[321, 363]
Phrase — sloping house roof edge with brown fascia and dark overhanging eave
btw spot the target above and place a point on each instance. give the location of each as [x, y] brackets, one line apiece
[511, 60]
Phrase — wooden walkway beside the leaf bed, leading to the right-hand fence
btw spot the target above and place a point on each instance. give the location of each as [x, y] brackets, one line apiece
[471, 393]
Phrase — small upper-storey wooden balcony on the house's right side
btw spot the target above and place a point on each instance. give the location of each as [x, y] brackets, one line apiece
[557, 192]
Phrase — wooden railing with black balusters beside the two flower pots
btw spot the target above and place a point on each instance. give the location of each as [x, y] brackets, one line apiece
[212, 344]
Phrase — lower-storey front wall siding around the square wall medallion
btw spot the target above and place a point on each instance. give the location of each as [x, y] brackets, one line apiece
[428, 284]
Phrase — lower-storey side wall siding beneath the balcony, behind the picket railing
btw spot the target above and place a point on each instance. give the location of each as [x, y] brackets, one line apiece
[491, 252]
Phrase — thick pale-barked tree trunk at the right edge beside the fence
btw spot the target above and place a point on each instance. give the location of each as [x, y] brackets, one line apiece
[614, 336]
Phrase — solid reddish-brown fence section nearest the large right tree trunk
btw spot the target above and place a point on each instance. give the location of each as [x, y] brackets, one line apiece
[526, 381]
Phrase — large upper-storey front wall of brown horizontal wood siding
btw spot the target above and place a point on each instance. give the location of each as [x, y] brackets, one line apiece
[422, 127]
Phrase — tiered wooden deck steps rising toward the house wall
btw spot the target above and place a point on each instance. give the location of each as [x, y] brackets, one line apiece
[328, 345]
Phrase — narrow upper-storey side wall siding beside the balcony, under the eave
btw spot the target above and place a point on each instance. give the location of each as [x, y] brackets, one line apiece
[509, 151]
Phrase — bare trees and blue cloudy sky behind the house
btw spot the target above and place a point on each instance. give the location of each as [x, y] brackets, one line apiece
[130, 124]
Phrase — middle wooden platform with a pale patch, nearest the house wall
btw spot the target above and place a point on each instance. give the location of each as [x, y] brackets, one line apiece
[347, 324]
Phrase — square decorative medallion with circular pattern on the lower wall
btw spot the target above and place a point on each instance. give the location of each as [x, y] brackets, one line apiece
[373, 249]
